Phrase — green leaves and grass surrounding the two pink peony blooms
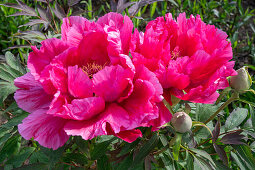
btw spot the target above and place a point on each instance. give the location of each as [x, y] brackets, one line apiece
[28, 22]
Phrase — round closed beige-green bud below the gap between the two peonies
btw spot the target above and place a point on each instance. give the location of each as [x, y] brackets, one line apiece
[181, 122]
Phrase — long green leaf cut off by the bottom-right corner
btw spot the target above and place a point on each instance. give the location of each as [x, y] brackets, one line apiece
[245, 152]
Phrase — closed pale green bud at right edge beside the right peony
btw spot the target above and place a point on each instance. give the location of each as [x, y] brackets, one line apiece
[241, 81]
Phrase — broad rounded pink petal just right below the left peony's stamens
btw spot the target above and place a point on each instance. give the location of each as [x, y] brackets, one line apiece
[111, 82]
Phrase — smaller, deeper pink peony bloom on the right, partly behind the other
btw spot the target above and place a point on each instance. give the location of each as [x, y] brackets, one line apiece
[190, 58]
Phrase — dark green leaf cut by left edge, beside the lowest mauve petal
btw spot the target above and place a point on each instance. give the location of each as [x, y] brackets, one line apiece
[10, 147]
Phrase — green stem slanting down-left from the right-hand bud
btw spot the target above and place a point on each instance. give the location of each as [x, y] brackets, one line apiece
[230, 100]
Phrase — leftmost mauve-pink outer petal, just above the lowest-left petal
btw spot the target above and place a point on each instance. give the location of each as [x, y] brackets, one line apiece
[31, 96]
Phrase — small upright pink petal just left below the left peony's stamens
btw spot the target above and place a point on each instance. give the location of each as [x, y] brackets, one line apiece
[79, 84]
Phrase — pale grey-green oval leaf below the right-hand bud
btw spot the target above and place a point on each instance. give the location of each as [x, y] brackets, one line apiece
[236, 118]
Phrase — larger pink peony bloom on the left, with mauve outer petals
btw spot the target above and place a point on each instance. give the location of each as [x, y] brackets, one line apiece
[85, 84]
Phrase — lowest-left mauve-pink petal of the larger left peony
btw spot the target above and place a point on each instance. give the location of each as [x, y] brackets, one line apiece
[47, 130]
